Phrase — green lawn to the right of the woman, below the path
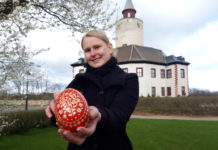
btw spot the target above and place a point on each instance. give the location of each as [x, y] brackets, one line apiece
[150, 134]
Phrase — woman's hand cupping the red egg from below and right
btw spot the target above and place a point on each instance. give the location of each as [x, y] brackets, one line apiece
[81, 133]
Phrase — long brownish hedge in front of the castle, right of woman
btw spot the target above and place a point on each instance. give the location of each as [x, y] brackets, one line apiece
[192, 105]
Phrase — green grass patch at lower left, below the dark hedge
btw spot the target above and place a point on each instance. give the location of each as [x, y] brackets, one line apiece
[34, 139]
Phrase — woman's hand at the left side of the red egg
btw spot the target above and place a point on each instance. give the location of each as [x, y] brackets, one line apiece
[50, 109]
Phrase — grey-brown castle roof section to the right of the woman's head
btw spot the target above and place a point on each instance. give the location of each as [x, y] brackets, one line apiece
[140, 54]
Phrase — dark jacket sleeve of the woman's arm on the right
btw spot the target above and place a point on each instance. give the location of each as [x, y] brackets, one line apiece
[116, 116]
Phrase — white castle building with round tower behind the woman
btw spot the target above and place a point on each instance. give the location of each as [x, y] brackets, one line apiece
[159, 75]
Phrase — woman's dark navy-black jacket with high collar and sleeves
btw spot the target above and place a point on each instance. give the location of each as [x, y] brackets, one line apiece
[115, 93]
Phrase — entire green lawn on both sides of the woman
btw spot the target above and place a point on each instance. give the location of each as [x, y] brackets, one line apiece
[145, 134]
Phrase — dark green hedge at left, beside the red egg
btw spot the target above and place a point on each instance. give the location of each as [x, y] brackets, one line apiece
[20, 121]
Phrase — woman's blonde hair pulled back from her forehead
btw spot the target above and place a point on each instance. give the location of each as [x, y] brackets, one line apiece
[98, 34]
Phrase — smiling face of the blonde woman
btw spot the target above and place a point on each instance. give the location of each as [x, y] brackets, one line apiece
[96, 51]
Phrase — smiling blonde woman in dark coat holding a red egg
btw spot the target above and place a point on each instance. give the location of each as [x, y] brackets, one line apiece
[111, 93]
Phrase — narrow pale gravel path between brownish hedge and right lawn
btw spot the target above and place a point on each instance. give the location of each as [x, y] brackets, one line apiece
[209, 118]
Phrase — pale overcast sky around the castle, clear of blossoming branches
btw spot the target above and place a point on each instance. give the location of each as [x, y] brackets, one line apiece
[187, 28]
